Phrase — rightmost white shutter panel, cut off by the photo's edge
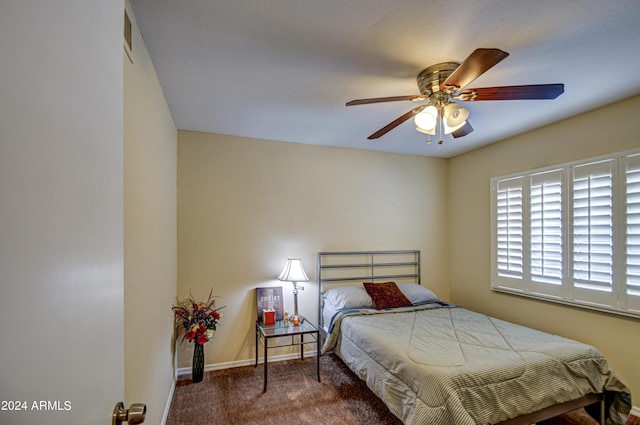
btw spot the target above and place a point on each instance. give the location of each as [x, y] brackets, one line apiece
[632, 226]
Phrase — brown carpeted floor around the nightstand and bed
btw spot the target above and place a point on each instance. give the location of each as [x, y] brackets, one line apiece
[294, 396]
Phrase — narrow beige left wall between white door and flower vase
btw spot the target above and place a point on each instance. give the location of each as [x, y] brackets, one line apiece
[150, 235]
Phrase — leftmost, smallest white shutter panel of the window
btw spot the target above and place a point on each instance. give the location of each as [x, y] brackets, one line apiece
[509, 227]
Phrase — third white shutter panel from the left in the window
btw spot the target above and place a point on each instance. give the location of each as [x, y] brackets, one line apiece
[593, 226]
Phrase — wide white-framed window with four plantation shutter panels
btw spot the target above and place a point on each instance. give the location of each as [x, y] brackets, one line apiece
[570, 234]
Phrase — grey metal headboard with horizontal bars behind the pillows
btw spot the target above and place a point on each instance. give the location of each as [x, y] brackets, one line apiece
[354, 267]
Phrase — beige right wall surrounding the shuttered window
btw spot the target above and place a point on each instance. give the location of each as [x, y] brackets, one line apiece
[607, 130]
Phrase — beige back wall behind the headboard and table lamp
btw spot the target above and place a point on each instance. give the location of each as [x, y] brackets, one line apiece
[245, 205]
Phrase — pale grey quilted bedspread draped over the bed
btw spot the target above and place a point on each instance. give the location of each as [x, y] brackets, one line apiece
[441, 364]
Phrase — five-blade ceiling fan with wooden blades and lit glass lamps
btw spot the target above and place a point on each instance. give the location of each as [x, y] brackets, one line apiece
[439, 84]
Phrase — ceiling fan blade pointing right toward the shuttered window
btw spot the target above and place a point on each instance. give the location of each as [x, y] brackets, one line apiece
[535, 91]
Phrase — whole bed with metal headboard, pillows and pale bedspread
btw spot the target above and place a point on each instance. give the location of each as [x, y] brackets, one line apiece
[432, 362]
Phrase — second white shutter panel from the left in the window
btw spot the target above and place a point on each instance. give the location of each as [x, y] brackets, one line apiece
[546, 227]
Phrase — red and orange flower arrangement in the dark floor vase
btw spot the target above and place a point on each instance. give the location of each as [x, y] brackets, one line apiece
[198, 320]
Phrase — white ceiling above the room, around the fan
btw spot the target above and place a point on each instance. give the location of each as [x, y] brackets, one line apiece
[284, 69]
